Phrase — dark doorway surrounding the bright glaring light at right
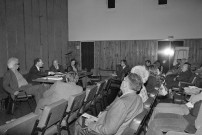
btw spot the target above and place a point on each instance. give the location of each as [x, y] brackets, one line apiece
[167, 61]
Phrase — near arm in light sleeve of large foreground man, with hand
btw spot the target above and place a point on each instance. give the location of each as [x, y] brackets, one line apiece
[112, 120]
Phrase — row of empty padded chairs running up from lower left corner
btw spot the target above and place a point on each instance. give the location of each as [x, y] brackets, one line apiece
[51, 120]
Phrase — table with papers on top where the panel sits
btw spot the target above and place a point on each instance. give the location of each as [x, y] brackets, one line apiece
[51, 81]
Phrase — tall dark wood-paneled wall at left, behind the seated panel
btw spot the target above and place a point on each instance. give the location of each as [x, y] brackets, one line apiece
[31, 29]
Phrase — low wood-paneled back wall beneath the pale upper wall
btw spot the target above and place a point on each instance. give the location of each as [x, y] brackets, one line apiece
[109, 53]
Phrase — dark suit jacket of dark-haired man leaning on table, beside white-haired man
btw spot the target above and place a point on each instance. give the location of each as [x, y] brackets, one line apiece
[34, 73]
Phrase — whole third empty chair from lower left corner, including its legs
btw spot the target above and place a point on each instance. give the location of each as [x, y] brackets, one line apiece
[73, 111]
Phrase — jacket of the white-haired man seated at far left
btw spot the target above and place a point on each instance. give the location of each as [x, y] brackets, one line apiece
[10, 83]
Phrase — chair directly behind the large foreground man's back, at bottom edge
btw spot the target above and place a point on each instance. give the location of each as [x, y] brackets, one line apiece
[137, 124]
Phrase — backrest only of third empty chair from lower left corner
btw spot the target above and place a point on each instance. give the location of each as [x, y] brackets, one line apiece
[76, 102]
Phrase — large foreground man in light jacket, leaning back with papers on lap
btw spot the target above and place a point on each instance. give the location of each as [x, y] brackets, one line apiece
[119, 114]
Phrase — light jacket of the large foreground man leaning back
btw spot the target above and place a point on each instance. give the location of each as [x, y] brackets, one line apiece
[118, 115]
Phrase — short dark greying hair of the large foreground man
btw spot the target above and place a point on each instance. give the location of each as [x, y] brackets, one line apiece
[135, 81]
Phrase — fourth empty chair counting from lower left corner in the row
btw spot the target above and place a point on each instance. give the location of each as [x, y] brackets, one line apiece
[90, 95]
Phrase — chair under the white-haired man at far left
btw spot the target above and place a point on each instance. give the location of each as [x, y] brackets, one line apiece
[21, 97]
